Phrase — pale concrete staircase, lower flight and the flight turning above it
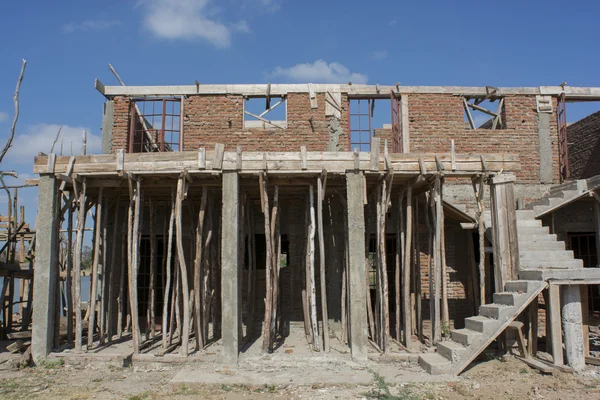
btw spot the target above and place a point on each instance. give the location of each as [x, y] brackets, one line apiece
[540, 254]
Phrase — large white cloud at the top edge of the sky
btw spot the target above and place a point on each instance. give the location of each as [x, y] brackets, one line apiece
[188, 19]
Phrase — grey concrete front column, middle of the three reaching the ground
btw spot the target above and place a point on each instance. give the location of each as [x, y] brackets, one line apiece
[230, 268]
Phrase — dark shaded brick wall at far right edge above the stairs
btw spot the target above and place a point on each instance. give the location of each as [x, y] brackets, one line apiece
[584, 145]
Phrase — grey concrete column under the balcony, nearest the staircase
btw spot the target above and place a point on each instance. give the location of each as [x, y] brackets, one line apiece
[358, 289]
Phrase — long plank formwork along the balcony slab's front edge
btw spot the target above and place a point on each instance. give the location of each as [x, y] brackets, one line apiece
[169, 162]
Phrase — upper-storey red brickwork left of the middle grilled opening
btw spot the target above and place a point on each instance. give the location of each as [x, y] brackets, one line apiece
[211, 119]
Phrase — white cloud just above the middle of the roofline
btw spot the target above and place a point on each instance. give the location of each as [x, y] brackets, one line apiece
[319, 72]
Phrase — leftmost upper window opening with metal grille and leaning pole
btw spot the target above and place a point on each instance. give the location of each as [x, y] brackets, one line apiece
[156, 125]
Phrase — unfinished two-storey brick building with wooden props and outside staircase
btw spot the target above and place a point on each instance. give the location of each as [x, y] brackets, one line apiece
[219, 220]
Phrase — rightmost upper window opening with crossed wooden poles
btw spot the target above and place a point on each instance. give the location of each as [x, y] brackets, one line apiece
[484, 112]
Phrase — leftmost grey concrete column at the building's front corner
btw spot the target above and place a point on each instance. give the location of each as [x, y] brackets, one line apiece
[45, 284]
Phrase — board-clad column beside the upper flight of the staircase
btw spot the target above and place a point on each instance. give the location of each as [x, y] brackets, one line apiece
[504, 224]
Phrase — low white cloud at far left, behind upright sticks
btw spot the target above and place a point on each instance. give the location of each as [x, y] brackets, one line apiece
[39, 137]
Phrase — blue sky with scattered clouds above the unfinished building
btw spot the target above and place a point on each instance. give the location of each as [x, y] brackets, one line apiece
[158, 42]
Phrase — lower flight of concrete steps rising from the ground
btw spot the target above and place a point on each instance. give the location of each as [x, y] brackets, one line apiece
[454, 355]
